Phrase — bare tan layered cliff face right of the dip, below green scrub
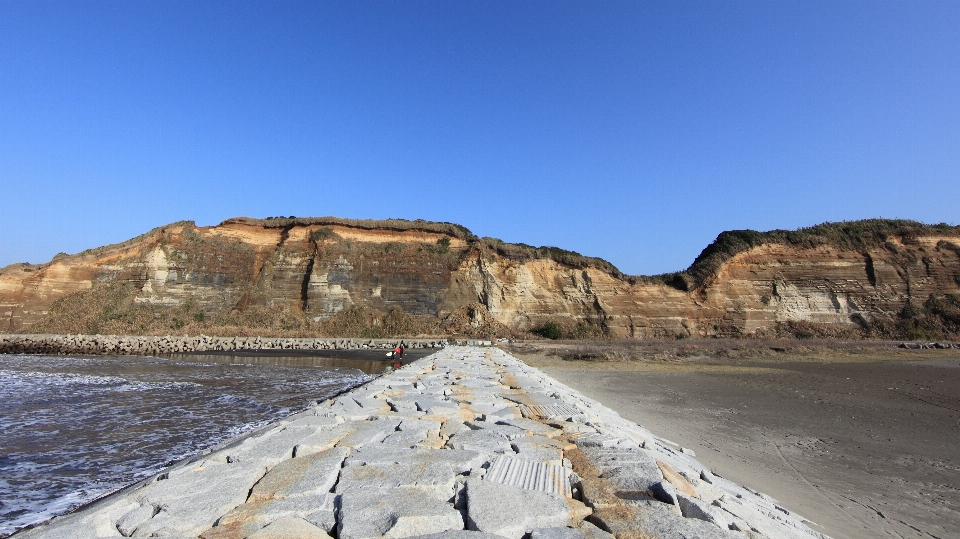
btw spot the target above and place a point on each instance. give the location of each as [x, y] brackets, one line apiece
[777, 283]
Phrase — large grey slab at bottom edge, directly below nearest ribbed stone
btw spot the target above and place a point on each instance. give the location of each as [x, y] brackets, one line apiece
[512, 511]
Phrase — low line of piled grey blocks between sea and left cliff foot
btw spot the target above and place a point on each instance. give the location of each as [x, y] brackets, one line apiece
[127, 345]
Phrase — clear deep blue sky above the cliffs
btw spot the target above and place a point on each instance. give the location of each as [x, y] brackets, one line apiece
[633, 131]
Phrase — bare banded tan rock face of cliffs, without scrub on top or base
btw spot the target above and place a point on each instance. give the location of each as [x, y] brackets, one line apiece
[317, 268]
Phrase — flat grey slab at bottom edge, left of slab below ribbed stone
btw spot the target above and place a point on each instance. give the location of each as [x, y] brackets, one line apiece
[392, 513]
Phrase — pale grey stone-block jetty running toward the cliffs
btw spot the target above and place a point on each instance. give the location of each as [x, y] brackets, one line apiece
[466, 443]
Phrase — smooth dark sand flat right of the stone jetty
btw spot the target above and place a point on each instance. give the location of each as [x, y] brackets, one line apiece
[862, 449]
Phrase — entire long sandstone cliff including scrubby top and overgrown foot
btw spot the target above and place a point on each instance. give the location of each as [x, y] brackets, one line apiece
[327, 276]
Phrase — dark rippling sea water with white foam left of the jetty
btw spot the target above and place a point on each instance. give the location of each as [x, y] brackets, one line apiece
[75, 428]
